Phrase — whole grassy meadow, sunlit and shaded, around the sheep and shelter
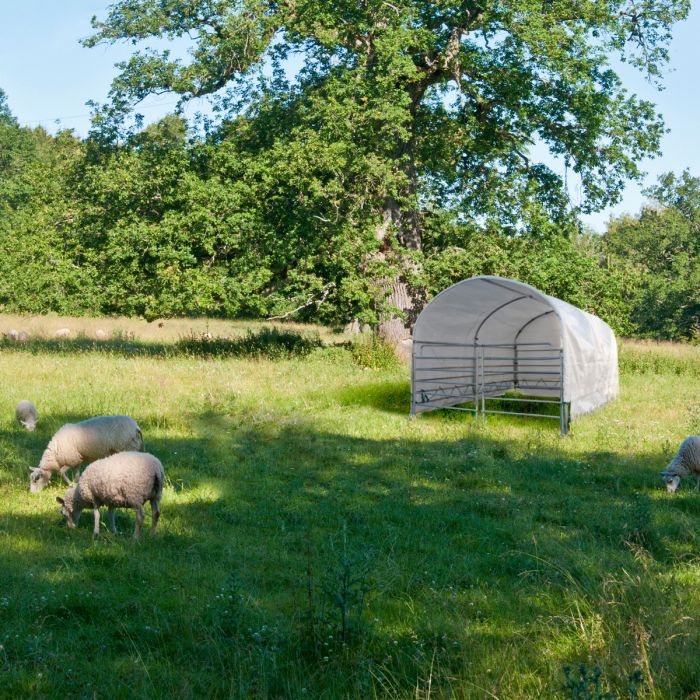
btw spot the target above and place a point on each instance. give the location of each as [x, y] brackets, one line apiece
[316, 543]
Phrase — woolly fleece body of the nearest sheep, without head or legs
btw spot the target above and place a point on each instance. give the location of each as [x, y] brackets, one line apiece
[125, 479]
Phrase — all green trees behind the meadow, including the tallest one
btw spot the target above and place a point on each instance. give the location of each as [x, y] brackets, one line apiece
[395, 162]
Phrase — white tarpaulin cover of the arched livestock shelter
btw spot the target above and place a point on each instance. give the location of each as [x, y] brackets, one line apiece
[512, 319]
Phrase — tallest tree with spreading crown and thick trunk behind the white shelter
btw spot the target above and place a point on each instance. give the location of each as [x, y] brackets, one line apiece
[423, 103]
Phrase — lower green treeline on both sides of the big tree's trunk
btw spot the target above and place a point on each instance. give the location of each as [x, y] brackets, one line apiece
[225, 223]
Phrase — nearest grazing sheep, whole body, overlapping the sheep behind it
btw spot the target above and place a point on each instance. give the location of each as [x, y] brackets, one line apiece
[124, 480]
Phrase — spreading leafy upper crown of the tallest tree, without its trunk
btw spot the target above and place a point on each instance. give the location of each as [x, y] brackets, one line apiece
[421, 92]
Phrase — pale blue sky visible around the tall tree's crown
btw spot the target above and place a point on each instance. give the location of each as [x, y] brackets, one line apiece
[48, 77]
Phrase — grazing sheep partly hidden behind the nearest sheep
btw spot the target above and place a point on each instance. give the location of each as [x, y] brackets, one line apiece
[85, 442]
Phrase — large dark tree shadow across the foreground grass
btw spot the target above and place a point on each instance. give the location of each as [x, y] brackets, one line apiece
[290, 557]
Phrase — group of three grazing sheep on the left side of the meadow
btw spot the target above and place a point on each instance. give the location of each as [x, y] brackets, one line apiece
[119, 475]
